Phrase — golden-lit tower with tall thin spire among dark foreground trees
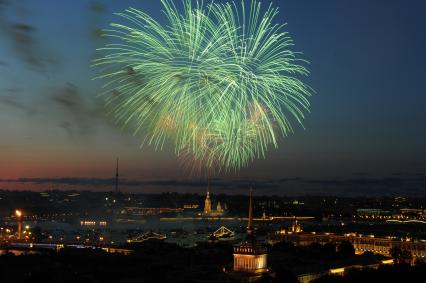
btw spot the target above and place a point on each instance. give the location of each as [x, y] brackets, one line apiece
[250, 257]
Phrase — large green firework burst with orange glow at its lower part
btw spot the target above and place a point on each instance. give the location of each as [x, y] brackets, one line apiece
[219, 81]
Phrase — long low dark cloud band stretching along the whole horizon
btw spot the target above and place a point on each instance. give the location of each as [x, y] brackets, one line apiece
[386, 186]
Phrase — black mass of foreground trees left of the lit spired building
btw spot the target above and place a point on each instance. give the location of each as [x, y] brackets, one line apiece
[151, 262]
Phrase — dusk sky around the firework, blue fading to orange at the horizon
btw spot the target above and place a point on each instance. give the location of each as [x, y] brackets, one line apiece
[366, 132]
